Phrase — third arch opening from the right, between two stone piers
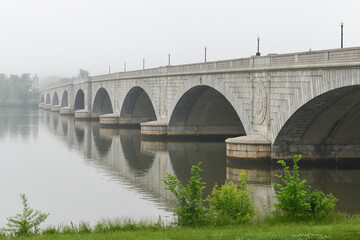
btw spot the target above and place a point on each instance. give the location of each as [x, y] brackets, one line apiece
[137, 108]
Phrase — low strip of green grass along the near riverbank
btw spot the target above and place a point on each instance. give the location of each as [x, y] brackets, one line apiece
[338, 226]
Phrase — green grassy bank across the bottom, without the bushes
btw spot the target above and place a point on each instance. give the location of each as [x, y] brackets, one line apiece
[339, 227]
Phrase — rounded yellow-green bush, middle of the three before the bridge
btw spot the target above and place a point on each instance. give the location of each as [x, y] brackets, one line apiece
[232, 202]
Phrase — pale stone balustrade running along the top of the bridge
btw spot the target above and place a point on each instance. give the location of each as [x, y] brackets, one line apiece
[269, 61]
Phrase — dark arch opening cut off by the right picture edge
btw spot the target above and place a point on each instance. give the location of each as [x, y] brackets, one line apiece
[325, 127]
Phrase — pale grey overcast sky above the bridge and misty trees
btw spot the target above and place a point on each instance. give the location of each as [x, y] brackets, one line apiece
[61, 36]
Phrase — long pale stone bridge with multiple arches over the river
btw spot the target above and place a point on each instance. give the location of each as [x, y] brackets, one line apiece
[273, 106]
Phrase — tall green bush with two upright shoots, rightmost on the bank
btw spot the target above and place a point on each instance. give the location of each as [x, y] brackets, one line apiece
[295, 200]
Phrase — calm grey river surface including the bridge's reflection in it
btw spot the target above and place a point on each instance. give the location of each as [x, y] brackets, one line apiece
[79, 172]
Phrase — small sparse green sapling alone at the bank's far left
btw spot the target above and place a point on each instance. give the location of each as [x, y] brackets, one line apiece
[27, 222]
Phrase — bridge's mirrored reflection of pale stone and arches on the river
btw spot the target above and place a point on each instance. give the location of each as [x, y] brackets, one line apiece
[122, 155]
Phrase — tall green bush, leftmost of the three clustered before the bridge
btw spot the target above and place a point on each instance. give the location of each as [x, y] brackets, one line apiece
[190, 204]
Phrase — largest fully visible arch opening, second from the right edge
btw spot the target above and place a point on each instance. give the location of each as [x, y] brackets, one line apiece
[203, 112]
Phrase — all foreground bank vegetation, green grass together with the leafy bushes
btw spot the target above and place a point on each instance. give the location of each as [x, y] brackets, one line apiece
[230, 214]
